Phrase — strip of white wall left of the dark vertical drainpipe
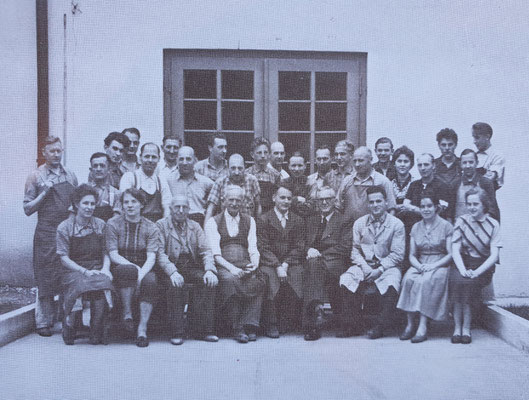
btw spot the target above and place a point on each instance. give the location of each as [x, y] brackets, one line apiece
[18, 132]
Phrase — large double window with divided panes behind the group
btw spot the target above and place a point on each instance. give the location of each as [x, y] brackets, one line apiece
[302, 99]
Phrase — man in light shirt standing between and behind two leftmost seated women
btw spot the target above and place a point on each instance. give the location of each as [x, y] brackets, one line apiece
[107, 195]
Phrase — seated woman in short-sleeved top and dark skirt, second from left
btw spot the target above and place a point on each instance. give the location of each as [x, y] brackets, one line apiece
[132, 242]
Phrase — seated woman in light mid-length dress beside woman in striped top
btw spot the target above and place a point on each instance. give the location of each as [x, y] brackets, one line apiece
[425, 285]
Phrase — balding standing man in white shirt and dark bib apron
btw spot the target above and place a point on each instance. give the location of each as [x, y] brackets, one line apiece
[155, 190]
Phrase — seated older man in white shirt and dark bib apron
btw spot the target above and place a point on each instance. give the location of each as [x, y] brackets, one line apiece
[232, 238]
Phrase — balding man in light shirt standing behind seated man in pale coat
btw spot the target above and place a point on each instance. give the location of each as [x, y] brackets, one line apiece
[352, 194]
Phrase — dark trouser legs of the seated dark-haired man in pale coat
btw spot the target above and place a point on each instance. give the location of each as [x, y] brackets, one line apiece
[352, 305]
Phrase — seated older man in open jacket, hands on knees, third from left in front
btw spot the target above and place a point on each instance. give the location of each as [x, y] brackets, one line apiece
[186, 258]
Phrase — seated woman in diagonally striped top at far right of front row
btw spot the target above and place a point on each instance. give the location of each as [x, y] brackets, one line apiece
[476, 246]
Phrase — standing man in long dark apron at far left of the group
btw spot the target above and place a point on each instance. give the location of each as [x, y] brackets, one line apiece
[47, 192]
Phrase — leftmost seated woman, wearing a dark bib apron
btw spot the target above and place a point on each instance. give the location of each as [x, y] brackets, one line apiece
[86, 272]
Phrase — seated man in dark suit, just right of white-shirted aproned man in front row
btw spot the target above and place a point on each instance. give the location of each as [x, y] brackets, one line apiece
[281, 246]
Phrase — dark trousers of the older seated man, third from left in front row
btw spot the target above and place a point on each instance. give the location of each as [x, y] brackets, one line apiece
[201, 308]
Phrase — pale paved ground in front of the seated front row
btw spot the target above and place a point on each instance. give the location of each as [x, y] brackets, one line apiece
[288, 368]
